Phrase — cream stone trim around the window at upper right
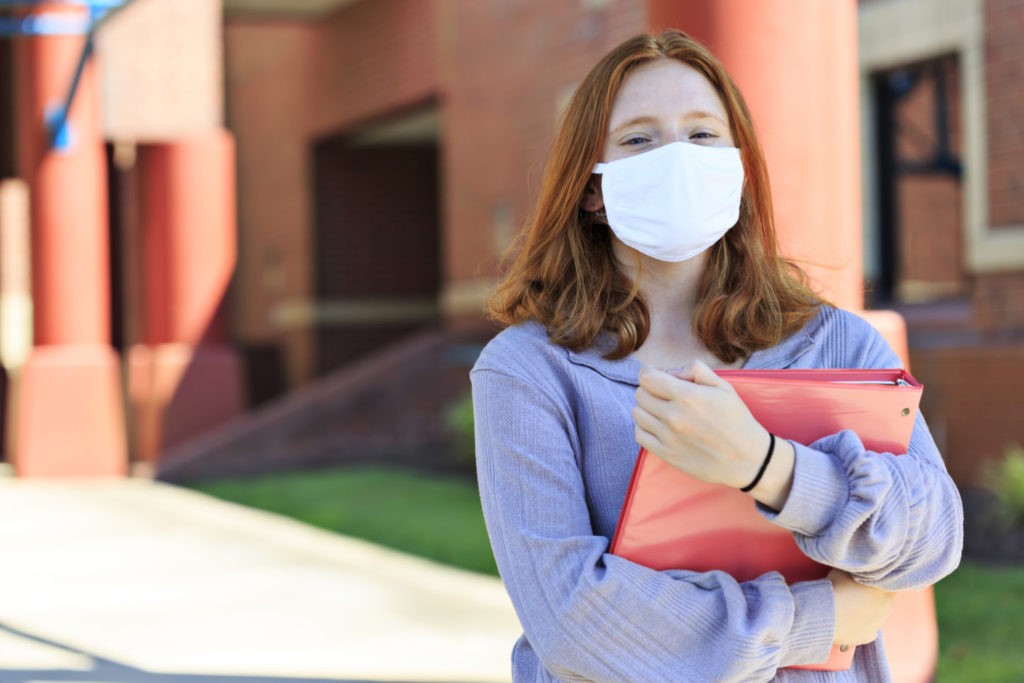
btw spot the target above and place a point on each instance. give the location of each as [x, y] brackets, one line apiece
[899, 32]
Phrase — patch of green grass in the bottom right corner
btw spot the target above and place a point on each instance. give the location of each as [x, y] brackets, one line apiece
[982, 618]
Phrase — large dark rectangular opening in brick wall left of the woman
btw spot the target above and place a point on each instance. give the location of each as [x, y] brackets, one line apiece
[378, 252]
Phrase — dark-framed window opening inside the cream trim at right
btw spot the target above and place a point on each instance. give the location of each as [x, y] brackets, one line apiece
[918, 152]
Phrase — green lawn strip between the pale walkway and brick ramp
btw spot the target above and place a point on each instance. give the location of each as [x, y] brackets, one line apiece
[434, 517]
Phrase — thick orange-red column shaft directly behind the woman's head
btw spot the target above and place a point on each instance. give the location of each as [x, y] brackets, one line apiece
[796, 63]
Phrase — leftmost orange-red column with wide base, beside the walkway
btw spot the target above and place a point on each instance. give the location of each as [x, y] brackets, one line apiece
[70, 406]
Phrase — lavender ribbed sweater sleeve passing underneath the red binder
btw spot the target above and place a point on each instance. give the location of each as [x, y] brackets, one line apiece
[592, 616]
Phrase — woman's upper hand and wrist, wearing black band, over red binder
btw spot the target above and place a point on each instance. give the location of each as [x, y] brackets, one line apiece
[696, 421]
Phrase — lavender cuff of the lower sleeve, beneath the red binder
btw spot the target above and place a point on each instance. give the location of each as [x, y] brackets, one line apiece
[810, 641]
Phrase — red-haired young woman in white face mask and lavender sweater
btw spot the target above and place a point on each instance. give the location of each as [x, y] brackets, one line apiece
[650, 263]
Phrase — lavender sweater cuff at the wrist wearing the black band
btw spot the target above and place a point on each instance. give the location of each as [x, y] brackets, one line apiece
[820, 491]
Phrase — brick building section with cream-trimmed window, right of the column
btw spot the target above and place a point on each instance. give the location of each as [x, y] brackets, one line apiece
[942, 113]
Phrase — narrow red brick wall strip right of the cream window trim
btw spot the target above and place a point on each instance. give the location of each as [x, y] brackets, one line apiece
[1004, 76]
